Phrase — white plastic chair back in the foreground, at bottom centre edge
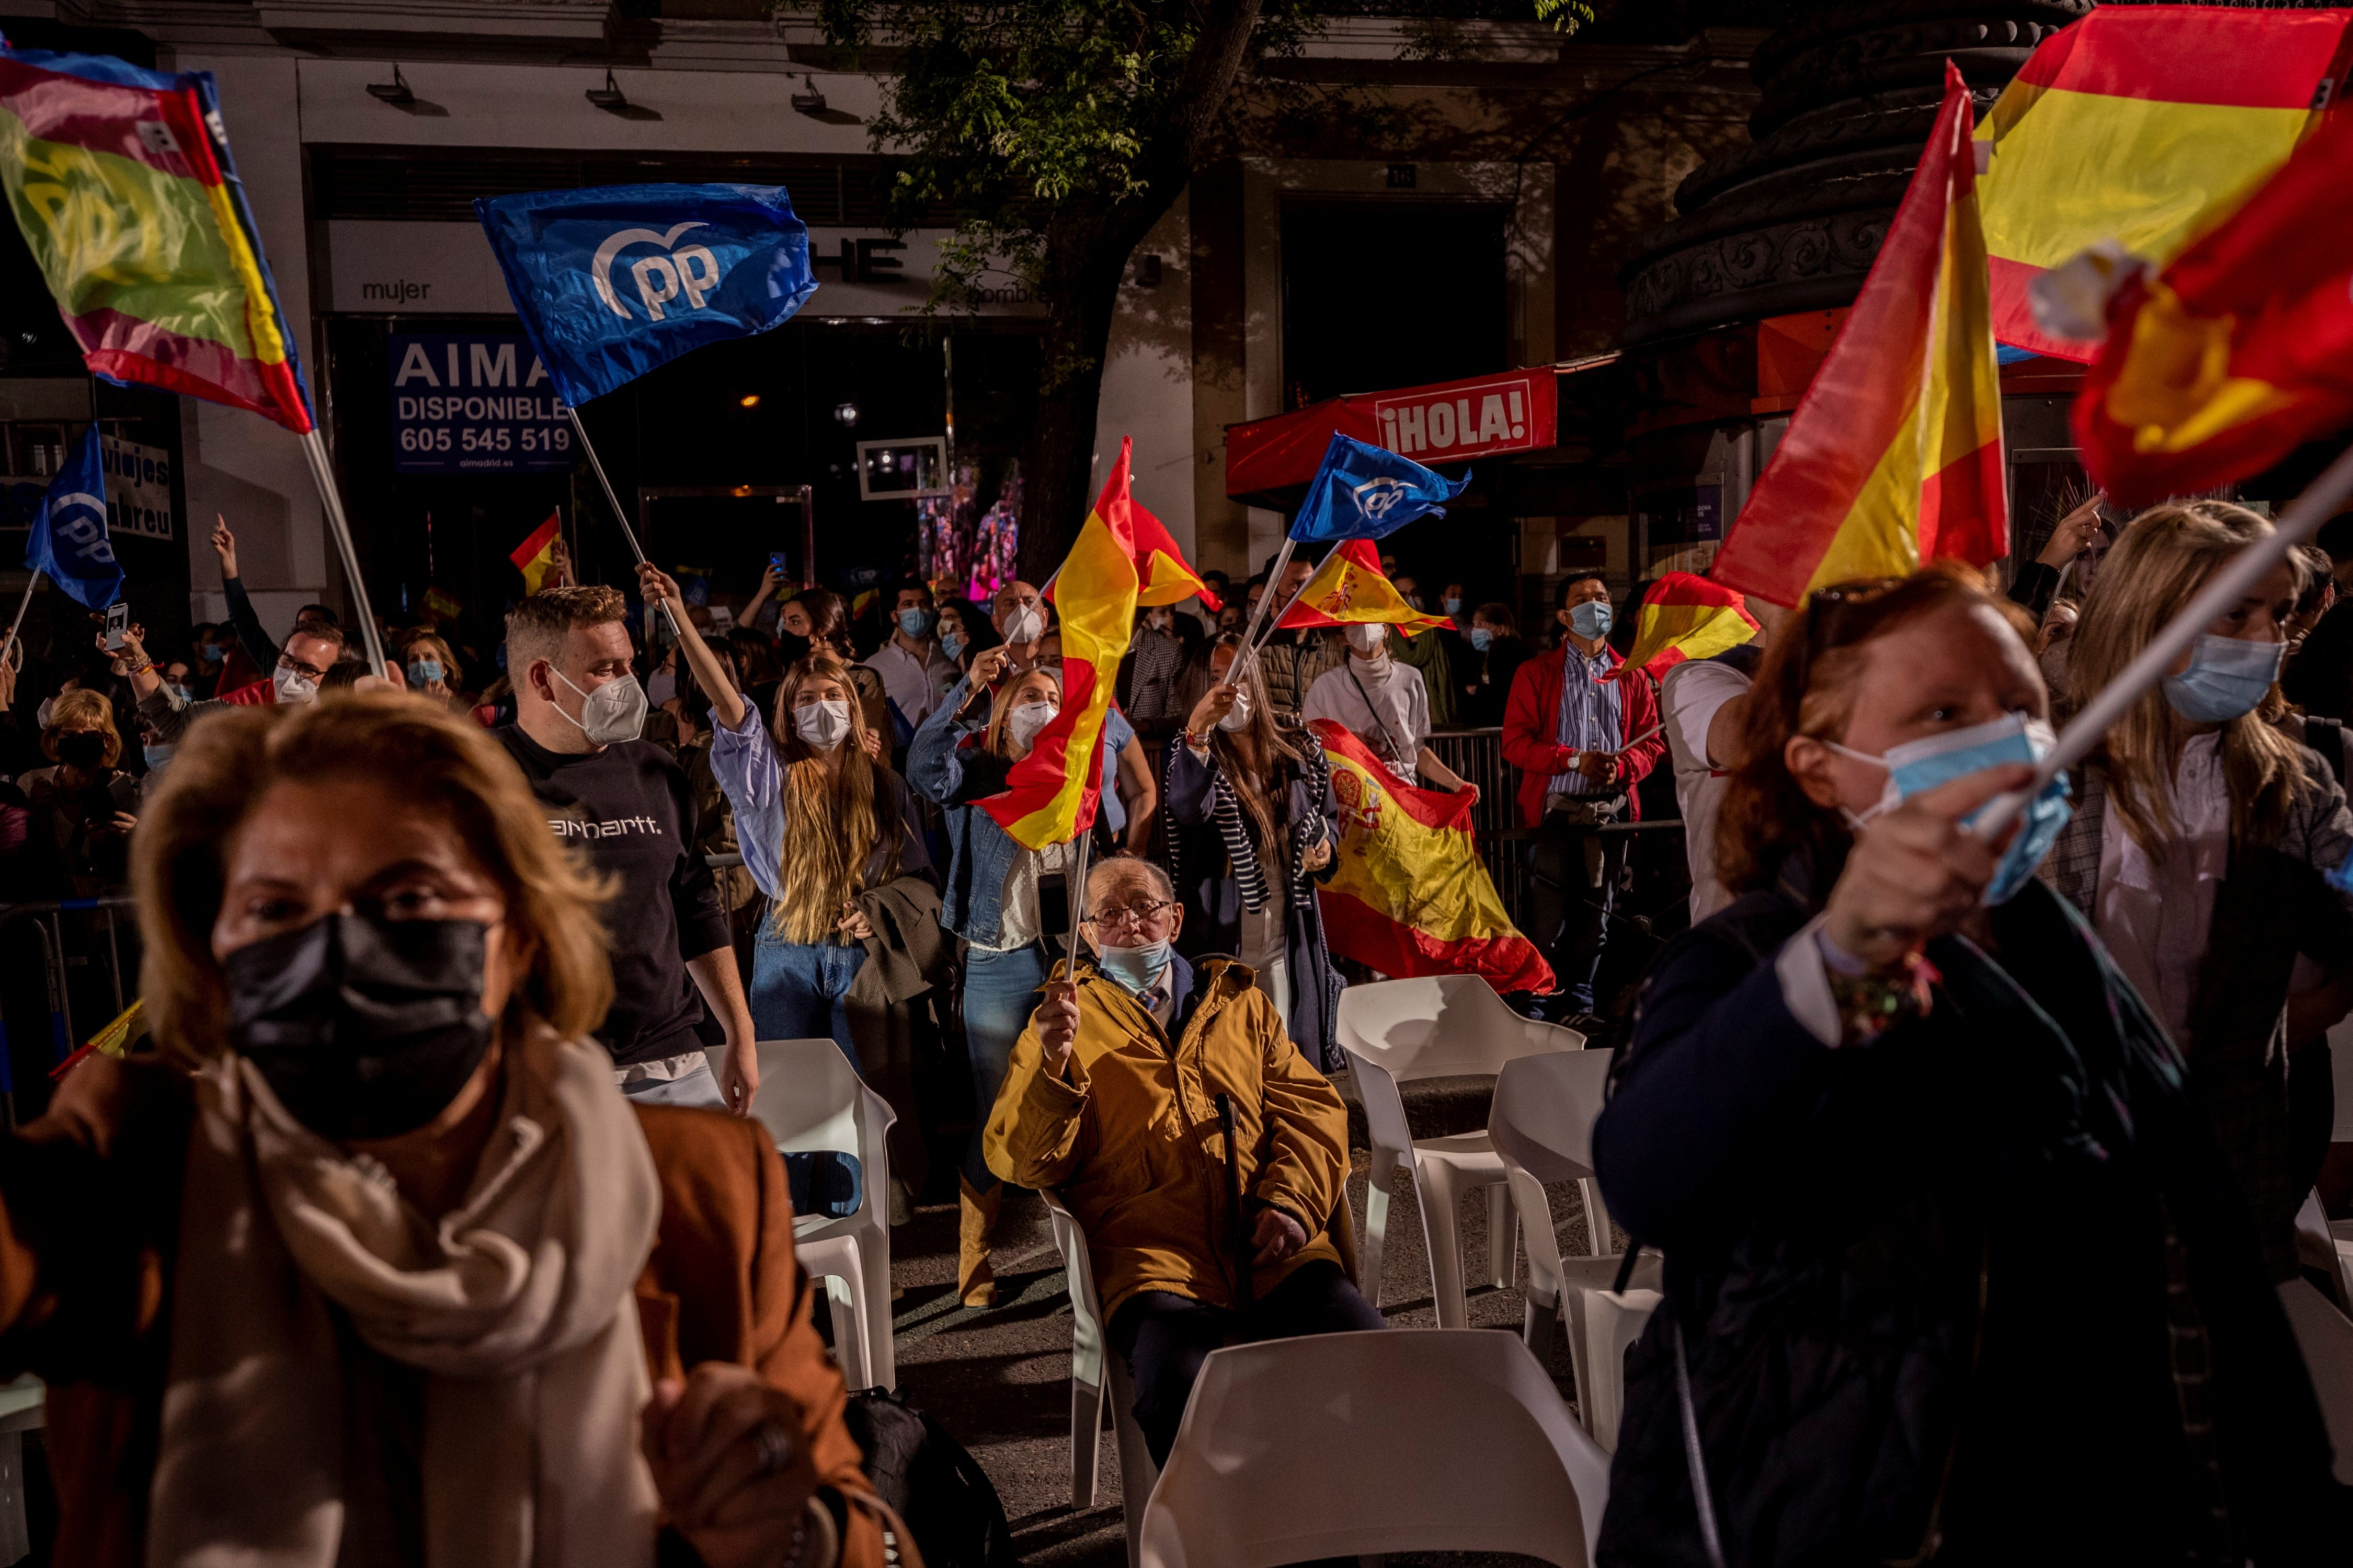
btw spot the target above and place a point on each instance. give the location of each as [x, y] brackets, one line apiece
[1375, 1442]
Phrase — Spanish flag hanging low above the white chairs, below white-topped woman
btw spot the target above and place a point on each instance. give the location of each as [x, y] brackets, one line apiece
[1408, 893]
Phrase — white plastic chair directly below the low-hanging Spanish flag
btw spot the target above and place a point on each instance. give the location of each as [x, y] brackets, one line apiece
[1434, 1028]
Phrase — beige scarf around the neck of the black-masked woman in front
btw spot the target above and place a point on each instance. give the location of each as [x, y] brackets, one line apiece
[519, 1308]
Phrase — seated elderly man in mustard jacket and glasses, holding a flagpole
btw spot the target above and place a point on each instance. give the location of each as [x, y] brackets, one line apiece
[1112, 1098]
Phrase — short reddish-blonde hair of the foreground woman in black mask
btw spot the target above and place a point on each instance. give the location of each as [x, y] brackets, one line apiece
[229, 764]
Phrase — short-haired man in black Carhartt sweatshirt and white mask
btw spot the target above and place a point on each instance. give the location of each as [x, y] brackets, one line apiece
[629, 809]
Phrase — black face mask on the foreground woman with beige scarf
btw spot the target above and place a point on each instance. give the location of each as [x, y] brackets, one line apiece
[364, 1028]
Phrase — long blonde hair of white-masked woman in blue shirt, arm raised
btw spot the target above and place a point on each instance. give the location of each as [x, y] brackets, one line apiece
[832, 823]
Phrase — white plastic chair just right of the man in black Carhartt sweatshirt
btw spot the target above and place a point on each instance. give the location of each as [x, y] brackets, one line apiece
[811, 1098]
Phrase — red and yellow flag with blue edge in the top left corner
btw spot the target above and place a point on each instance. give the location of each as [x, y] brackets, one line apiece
[126, 194]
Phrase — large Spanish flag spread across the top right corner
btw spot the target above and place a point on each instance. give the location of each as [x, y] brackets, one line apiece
[2142, 124]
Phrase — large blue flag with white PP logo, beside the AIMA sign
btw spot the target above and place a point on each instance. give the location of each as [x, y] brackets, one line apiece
[622, 279]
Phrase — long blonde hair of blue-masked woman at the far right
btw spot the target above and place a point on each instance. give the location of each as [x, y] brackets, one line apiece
[2157, 566]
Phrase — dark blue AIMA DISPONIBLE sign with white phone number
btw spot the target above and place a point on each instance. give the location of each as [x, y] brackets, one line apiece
[474, 404]
